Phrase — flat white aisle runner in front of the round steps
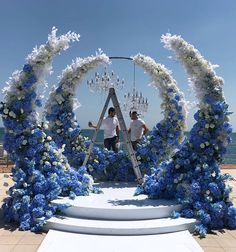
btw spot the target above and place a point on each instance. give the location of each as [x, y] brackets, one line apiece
[59, 241]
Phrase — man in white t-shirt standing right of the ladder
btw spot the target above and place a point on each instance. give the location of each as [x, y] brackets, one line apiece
[137, 129]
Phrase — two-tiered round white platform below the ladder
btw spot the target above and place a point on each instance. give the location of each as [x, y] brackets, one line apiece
[118, 212]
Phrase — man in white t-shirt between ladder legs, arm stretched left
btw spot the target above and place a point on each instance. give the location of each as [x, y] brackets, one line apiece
[111, 130]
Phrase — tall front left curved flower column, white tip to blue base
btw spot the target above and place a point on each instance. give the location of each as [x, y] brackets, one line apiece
[41, 173]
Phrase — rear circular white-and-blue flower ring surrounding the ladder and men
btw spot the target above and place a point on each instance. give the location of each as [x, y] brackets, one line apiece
[161, 144]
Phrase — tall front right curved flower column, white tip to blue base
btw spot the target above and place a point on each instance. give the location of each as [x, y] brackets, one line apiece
[193, 175]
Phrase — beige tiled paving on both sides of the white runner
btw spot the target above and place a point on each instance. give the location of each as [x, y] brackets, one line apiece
[11, 239]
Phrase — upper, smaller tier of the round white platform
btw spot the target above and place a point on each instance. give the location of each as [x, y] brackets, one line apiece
[118, 203]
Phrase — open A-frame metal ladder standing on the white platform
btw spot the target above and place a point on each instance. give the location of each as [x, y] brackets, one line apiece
[112, 96]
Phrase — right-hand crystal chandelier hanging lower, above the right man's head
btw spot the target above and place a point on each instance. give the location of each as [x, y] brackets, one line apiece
[134, 101]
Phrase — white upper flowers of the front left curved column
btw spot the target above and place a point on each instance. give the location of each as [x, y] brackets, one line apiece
[40, 60]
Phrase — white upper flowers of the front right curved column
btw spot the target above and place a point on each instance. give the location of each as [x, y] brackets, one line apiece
[203, 79]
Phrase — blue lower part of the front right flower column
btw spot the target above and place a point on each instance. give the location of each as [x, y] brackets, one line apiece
[193, 175]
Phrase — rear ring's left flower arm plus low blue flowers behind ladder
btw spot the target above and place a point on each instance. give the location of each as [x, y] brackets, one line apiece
[63, 127]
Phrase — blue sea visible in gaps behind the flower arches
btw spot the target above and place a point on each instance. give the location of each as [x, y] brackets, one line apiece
[230, 157]
